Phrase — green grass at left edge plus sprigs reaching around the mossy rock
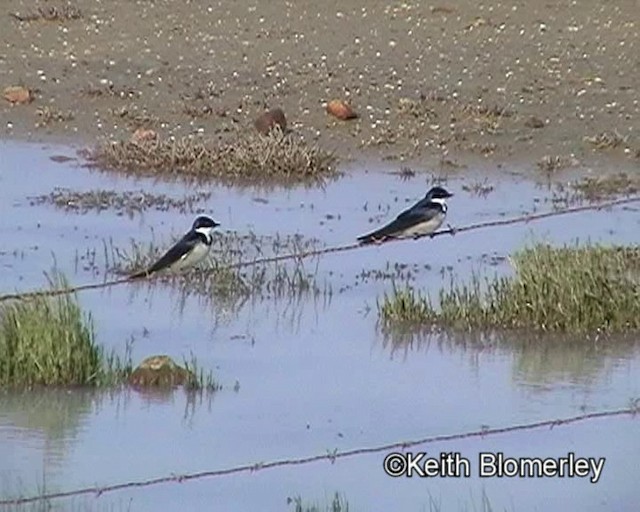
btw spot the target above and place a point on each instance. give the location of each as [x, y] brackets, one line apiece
[49, 341]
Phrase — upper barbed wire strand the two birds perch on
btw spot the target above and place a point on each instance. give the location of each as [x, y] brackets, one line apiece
[326, 250]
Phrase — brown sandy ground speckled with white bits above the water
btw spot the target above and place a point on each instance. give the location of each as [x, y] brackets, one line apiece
[439, 83]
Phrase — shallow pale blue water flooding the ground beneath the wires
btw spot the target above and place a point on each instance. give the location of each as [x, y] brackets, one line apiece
[314, 374]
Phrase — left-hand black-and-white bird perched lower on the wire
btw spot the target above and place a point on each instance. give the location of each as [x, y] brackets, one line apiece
[190, 250]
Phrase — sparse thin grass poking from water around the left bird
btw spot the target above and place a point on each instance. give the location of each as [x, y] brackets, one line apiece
[234, 270]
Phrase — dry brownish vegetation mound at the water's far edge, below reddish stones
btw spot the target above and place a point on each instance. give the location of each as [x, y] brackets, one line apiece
[249, 159]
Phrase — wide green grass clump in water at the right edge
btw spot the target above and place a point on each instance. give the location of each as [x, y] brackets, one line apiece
[570, 289]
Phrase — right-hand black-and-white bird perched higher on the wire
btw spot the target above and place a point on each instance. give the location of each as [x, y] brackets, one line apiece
[423, 218]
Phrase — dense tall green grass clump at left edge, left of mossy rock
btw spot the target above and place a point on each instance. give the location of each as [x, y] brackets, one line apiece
[48, 341]
